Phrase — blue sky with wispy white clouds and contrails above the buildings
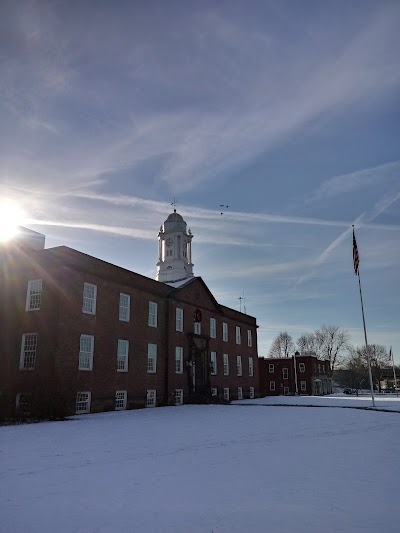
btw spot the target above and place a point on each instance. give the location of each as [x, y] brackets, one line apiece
[286, 111]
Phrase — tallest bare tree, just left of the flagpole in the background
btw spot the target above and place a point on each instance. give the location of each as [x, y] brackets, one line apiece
[332, 343]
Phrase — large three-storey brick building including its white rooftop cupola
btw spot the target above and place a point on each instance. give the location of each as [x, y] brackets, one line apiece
[83, 335]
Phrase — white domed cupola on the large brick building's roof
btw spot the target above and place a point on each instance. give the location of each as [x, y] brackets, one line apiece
[174, 250]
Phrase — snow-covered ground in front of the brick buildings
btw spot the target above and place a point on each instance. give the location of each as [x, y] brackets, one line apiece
[236, 468]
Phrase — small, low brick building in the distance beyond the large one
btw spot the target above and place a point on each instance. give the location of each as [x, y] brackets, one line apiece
[302, 374]
